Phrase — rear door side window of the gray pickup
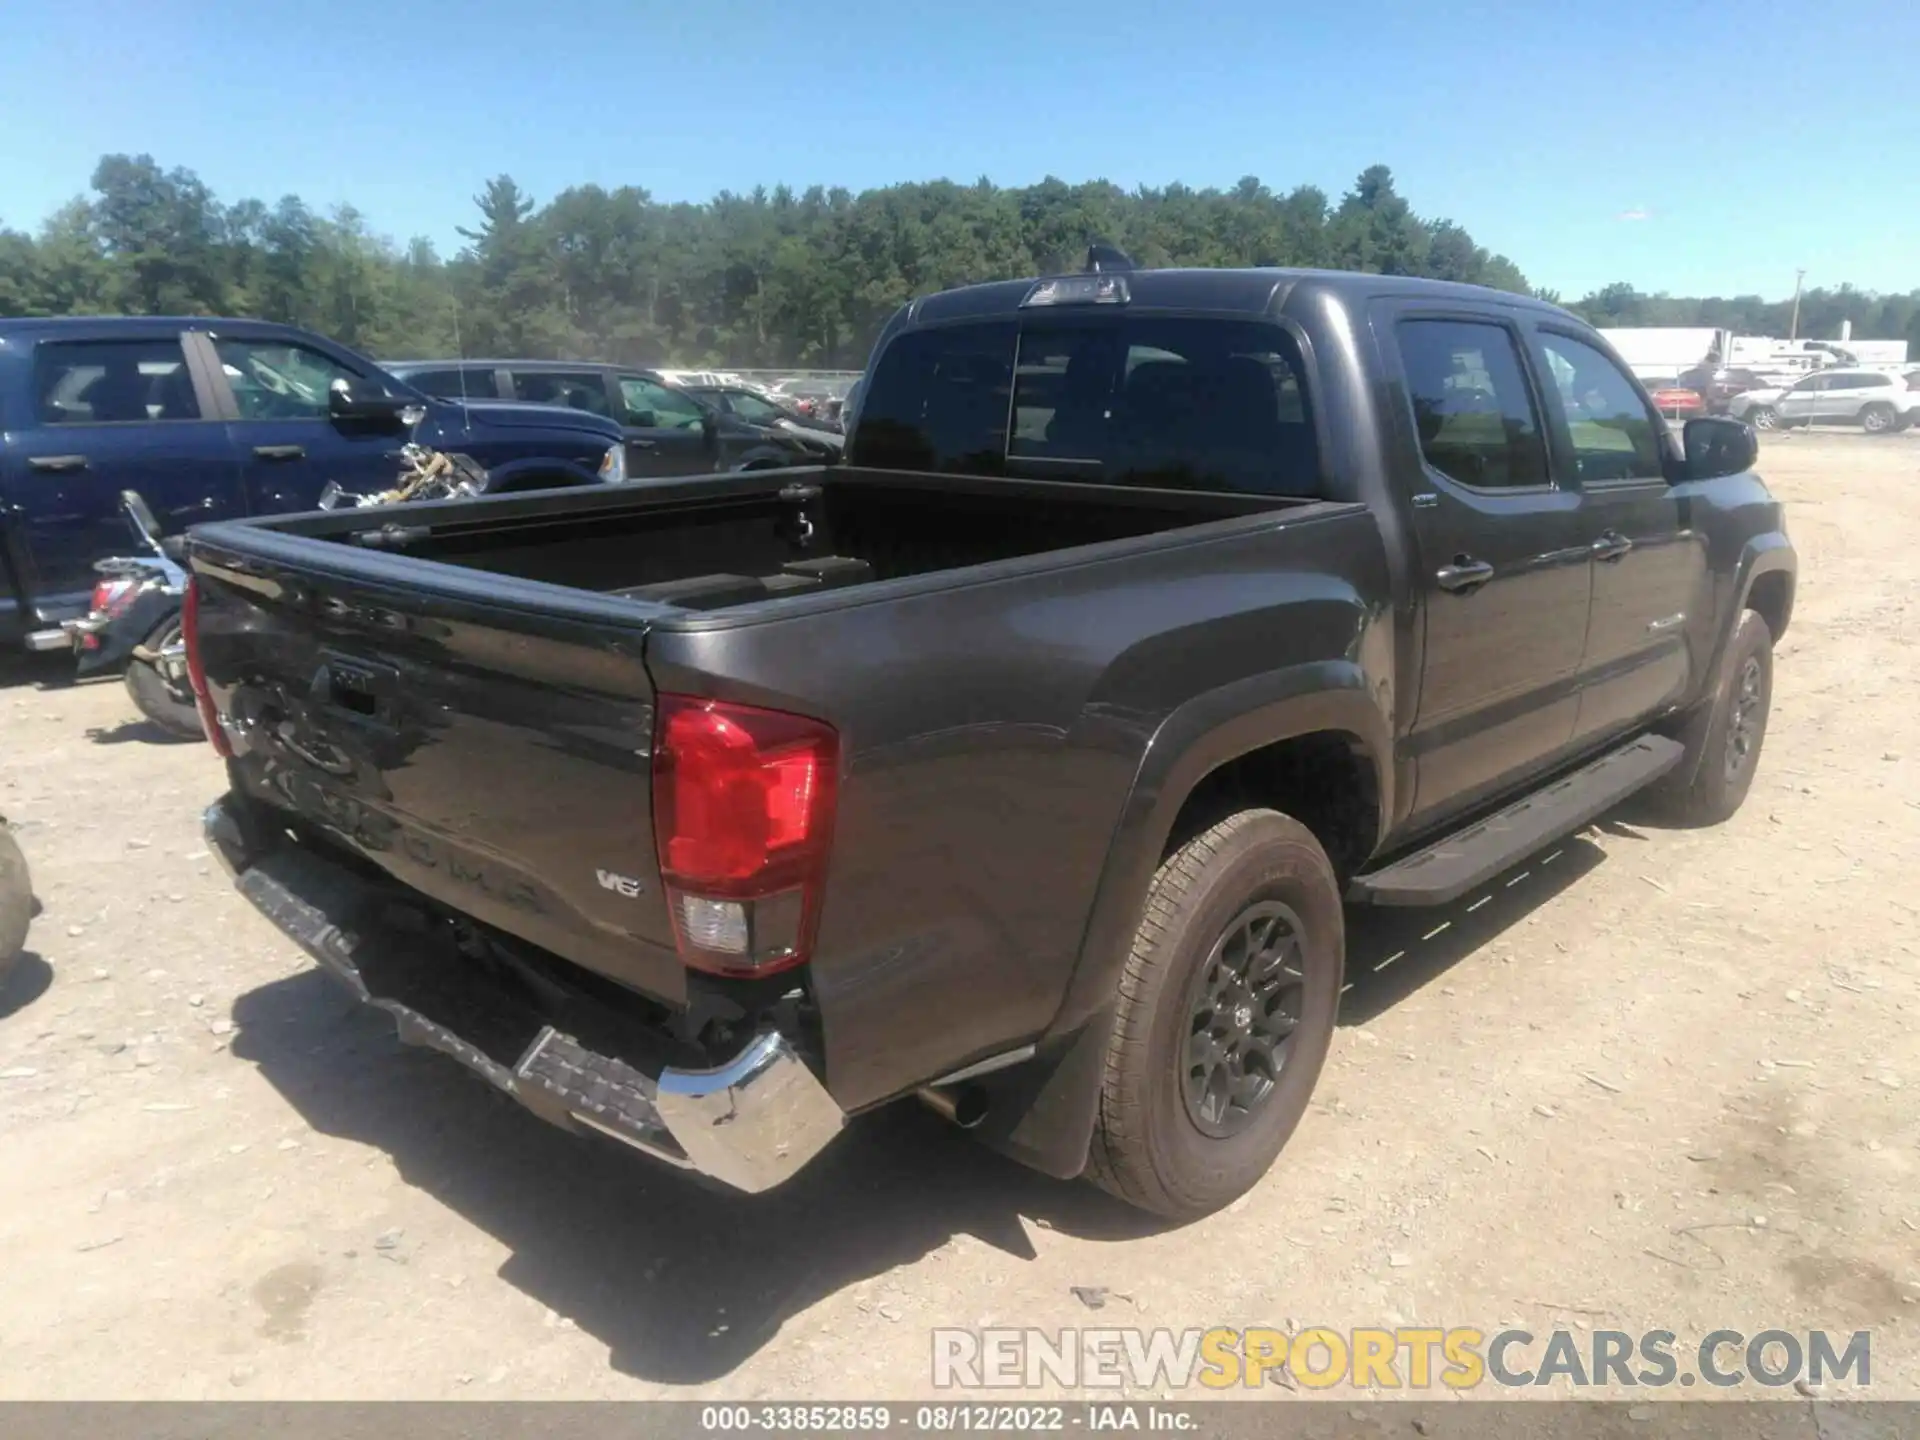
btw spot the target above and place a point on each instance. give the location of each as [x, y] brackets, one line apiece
[1472, 408]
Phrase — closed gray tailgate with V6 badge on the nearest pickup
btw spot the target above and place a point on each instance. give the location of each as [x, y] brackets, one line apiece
[479, 738]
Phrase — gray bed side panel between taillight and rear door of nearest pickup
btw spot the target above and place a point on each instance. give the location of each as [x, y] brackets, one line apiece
[992, 738]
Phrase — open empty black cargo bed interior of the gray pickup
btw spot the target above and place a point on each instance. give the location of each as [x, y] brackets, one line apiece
[734, 540]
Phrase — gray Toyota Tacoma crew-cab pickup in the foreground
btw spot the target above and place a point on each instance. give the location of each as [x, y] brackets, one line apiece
[1026, 761]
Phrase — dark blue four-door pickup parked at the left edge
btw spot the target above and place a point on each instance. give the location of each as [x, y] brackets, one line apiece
[220, 420]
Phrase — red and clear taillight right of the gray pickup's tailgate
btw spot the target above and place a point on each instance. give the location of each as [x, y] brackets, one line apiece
[742, 817]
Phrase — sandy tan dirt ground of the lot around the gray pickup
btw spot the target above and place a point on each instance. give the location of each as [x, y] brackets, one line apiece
[1666, 1080]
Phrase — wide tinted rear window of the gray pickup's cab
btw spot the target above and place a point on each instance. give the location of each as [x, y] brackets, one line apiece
[1178, 404]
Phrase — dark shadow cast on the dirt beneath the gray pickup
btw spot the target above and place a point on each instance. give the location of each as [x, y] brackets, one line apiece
[684, 1284]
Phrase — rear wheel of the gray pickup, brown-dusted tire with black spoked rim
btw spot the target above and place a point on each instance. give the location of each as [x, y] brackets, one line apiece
[1161, 1140]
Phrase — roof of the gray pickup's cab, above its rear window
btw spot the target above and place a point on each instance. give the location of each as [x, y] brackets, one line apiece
[1232, 291]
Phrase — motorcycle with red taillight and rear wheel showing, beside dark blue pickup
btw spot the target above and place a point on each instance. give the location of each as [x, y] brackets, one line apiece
[135, 623]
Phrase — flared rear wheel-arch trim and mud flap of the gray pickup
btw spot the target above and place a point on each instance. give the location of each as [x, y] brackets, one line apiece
[1044, 1113]
